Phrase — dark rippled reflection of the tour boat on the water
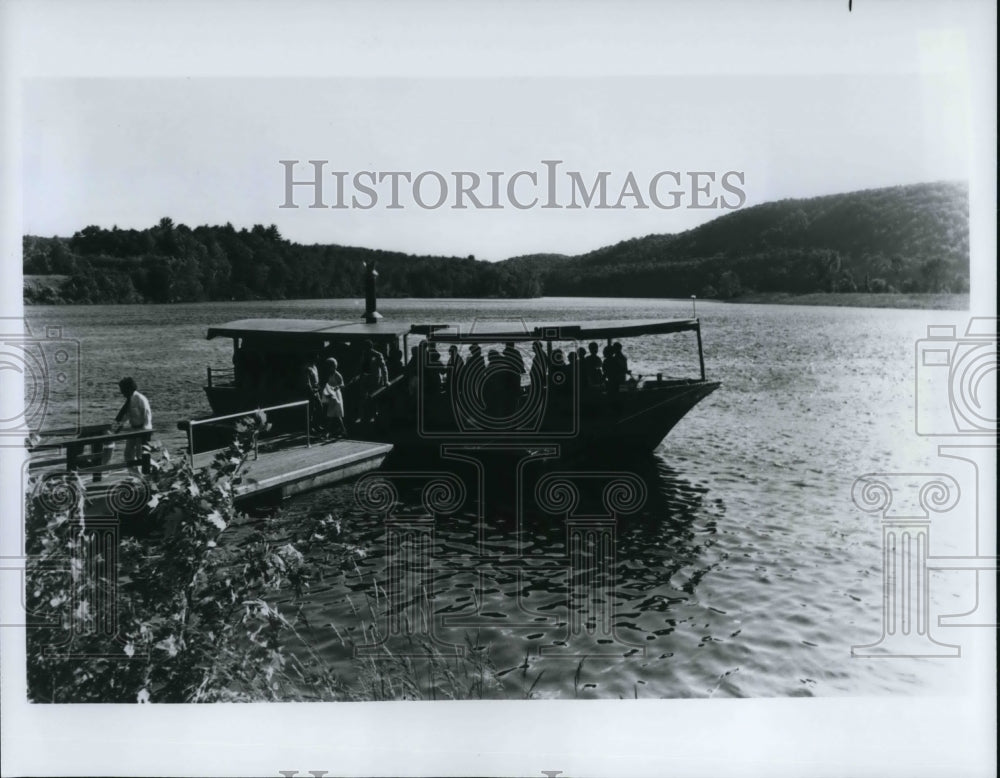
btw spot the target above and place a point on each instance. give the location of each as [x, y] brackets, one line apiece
[547, 566]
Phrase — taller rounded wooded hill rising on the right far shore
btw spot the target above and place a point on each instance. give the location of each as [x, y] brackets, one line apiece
[905, 238]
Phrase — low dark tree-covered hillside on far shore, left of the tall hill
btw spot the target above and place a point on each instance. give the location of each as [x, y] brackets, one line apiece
[175, 263]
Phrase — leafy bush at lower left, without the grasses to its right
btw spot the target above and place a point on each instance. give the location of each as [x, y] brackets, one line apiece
[195, 614]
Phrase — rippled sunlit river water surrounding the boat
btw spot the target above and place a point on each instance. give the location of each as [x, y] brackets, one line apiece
[747, 570]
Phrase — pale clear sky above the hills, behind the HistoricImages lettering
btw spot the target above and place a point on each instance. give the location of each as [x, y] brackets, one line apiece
[129, 151]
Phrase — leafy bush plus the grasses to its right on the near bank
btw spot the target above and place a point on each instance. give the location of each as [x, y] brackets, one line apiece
[190, 613]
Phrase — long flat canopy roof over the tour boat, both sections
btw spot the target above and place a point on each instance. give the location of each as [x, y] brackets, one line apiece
[313, 330]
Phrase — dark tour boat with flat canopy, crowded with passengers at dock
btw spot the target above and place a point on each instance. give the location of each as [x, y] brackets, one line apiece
[430, 404]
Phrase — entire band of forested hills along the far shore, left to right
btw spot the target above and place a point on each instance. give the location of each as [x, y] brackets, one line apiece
[907, 238]
